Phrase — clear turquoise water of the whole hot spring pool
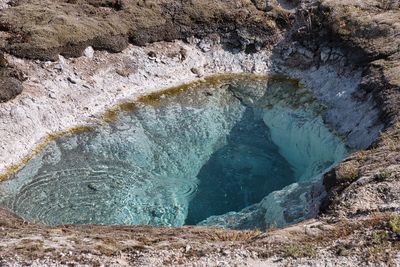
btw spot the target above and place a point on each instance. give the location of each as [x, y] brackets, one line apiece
[179, 159]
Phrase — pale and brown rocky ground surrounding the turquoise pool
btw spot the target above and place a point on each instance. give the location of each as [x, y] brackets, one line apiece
[359, 222]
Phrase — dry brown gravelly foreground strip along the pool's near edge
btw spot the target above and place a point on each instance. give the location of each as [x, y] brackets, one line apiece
[312, 243]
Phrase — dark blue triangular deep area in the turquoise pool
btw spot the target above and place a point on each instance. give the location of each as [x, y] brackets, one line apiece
[241, 173]
